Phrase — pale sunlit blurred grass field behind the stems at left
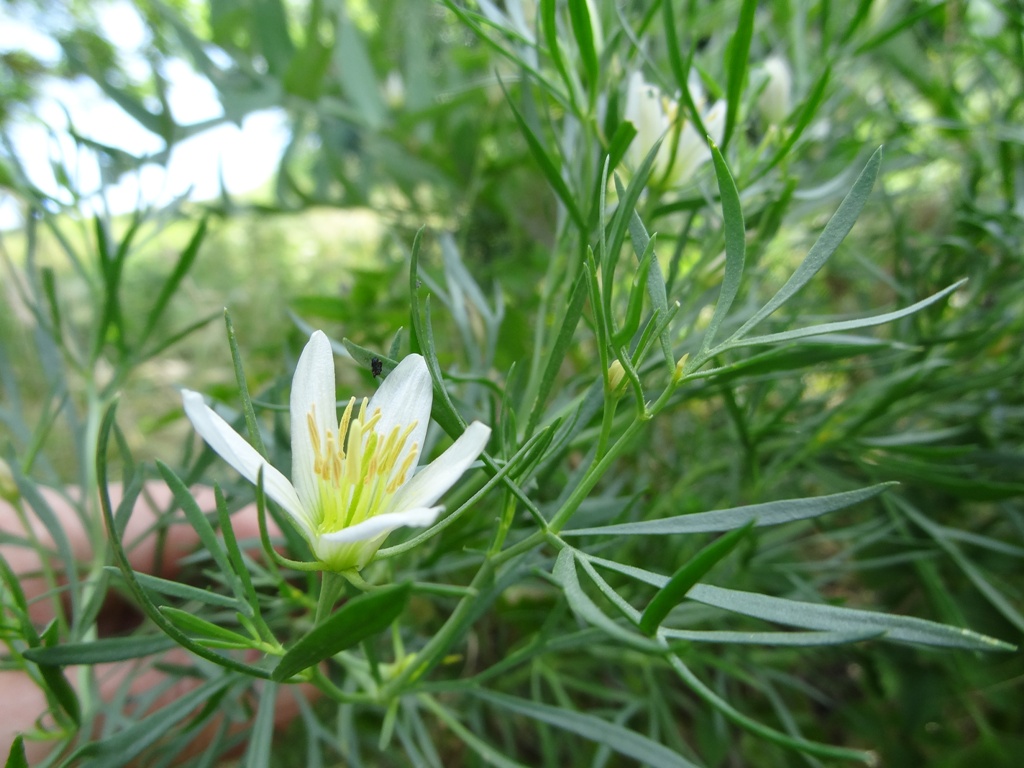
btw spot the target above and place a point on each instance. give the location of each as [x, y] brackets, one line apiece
[255, 266]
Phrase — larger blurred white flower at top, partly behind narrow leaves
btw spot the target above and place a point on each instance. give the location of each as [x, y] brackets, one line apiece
[684, 151]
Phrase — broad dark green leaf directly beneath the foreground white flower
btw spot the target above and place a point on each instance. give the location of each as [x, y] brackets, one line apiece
[358, 620]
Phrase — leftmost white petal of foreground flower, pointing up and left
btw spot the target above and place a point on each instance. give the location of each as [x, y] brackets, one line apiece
[230, 446]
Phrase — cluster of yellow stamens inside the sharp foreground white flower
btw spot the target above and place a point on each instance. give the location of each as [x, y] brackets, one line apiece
[358, 468]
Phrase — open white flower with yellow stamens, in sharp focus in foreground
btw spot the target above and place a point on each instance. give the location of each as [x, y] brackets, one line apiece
[353, 483]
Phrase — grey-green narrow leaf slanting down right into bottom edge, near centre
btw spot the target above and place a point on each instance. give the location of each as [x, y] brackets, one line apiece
[592, 729]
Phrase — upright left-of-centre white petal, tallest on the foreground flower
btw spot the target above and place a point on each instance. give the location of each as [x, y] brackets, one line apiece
[313, 392]
